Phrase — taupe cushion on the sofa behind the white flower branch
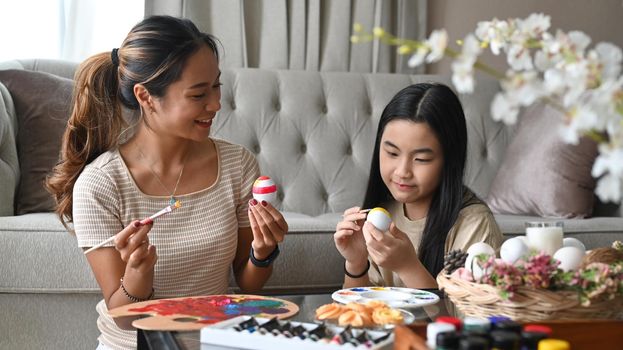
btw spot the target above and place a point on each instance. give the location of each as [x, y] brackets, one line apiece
[541, 174]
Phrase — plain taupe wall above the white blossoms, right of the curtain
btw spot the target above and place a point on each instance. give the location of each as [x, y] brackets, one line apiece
[602, 20]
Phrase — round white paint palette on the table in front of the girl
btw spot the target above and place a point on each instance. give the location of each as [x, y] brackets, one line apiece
[396, 297]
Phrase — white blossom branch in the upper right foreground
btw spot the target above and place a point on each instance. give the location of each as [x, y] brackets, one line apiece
[584, 83]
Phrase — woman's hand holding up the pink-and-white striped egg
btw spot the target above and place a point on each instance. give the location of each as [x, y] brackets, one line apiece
[268, 226]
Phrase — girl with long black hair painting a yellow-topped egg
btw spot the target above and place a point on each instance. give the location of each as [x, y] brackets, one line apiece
[417, 175]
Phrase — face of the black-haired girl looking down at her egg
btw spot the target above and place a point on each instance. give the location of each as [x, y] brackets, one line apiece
[411, 161]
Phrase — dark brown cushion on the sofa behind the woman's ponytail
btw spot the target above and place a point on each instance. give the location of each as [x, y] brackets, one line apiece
[42, 102]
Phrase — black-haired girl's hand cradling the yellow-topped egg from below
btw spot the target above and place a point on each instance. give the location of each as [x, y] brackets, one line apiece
[392, 250]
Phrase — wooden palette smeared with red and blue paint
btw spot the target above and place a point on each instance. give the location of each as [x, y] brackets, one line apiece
[194, 313]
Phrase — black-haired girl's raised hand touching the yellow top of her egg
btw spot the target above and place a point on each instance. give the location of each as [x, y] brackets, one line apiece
[348, 238]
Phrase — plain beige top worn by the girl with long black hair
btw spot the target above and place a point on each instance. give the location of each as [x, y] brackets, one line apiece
[475, 223]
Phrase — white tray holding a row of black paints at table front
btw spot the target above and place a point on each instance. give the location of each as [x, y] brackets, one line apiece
[247, 332]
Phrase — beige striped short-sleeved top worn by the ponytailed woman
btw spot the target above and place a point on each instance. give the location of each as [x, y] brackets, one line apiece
[196, 243]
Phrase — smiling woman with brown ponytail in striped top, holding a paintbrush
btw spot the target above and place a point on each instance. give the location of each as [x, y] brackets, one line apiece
[168, 70]
